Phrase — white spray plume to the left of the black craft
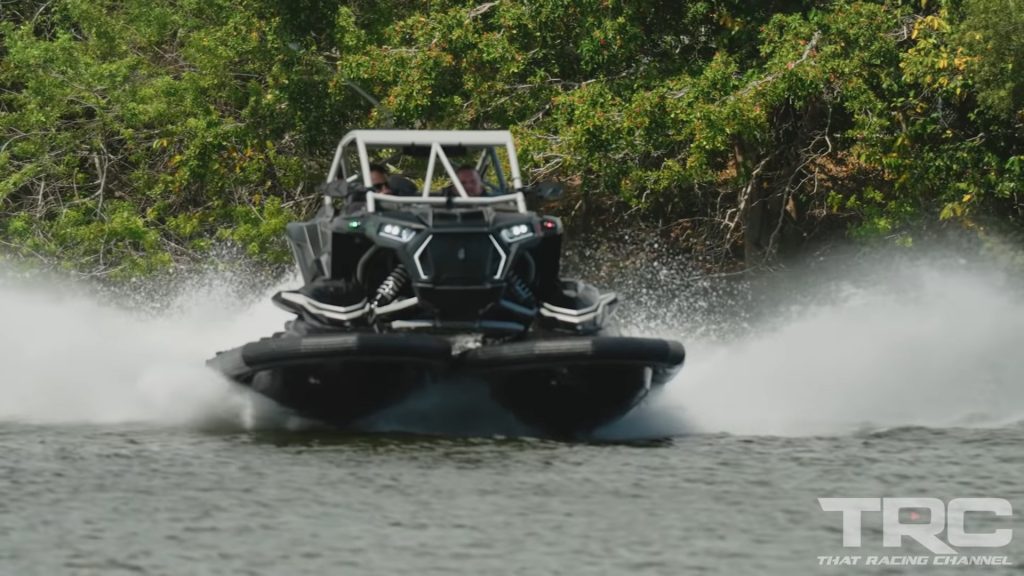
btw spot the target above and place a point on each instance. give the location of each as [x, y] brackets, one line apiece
[71, 358]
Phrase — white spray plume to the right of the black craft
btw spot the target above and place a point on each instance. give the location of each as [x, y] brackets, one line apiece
[930, 346]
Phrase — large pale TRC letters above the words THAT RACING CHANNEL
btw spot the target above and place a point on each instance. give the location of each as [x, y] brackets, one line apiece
[941, 517]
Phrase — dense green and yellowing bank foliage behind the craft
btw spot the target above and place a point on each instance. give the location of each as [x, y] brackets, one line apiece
[137, 134]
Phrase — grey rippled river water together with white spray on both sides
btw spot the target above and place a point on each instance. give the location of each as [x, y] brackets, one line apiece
[121, 455]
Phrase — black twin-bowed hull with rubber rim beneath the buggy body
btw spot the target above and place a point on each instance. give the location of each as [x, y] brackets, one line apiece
[562, 387]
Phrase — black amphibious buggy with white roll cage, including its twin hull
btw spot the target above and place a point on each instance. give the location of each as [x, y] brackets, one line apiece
[402, 291]
